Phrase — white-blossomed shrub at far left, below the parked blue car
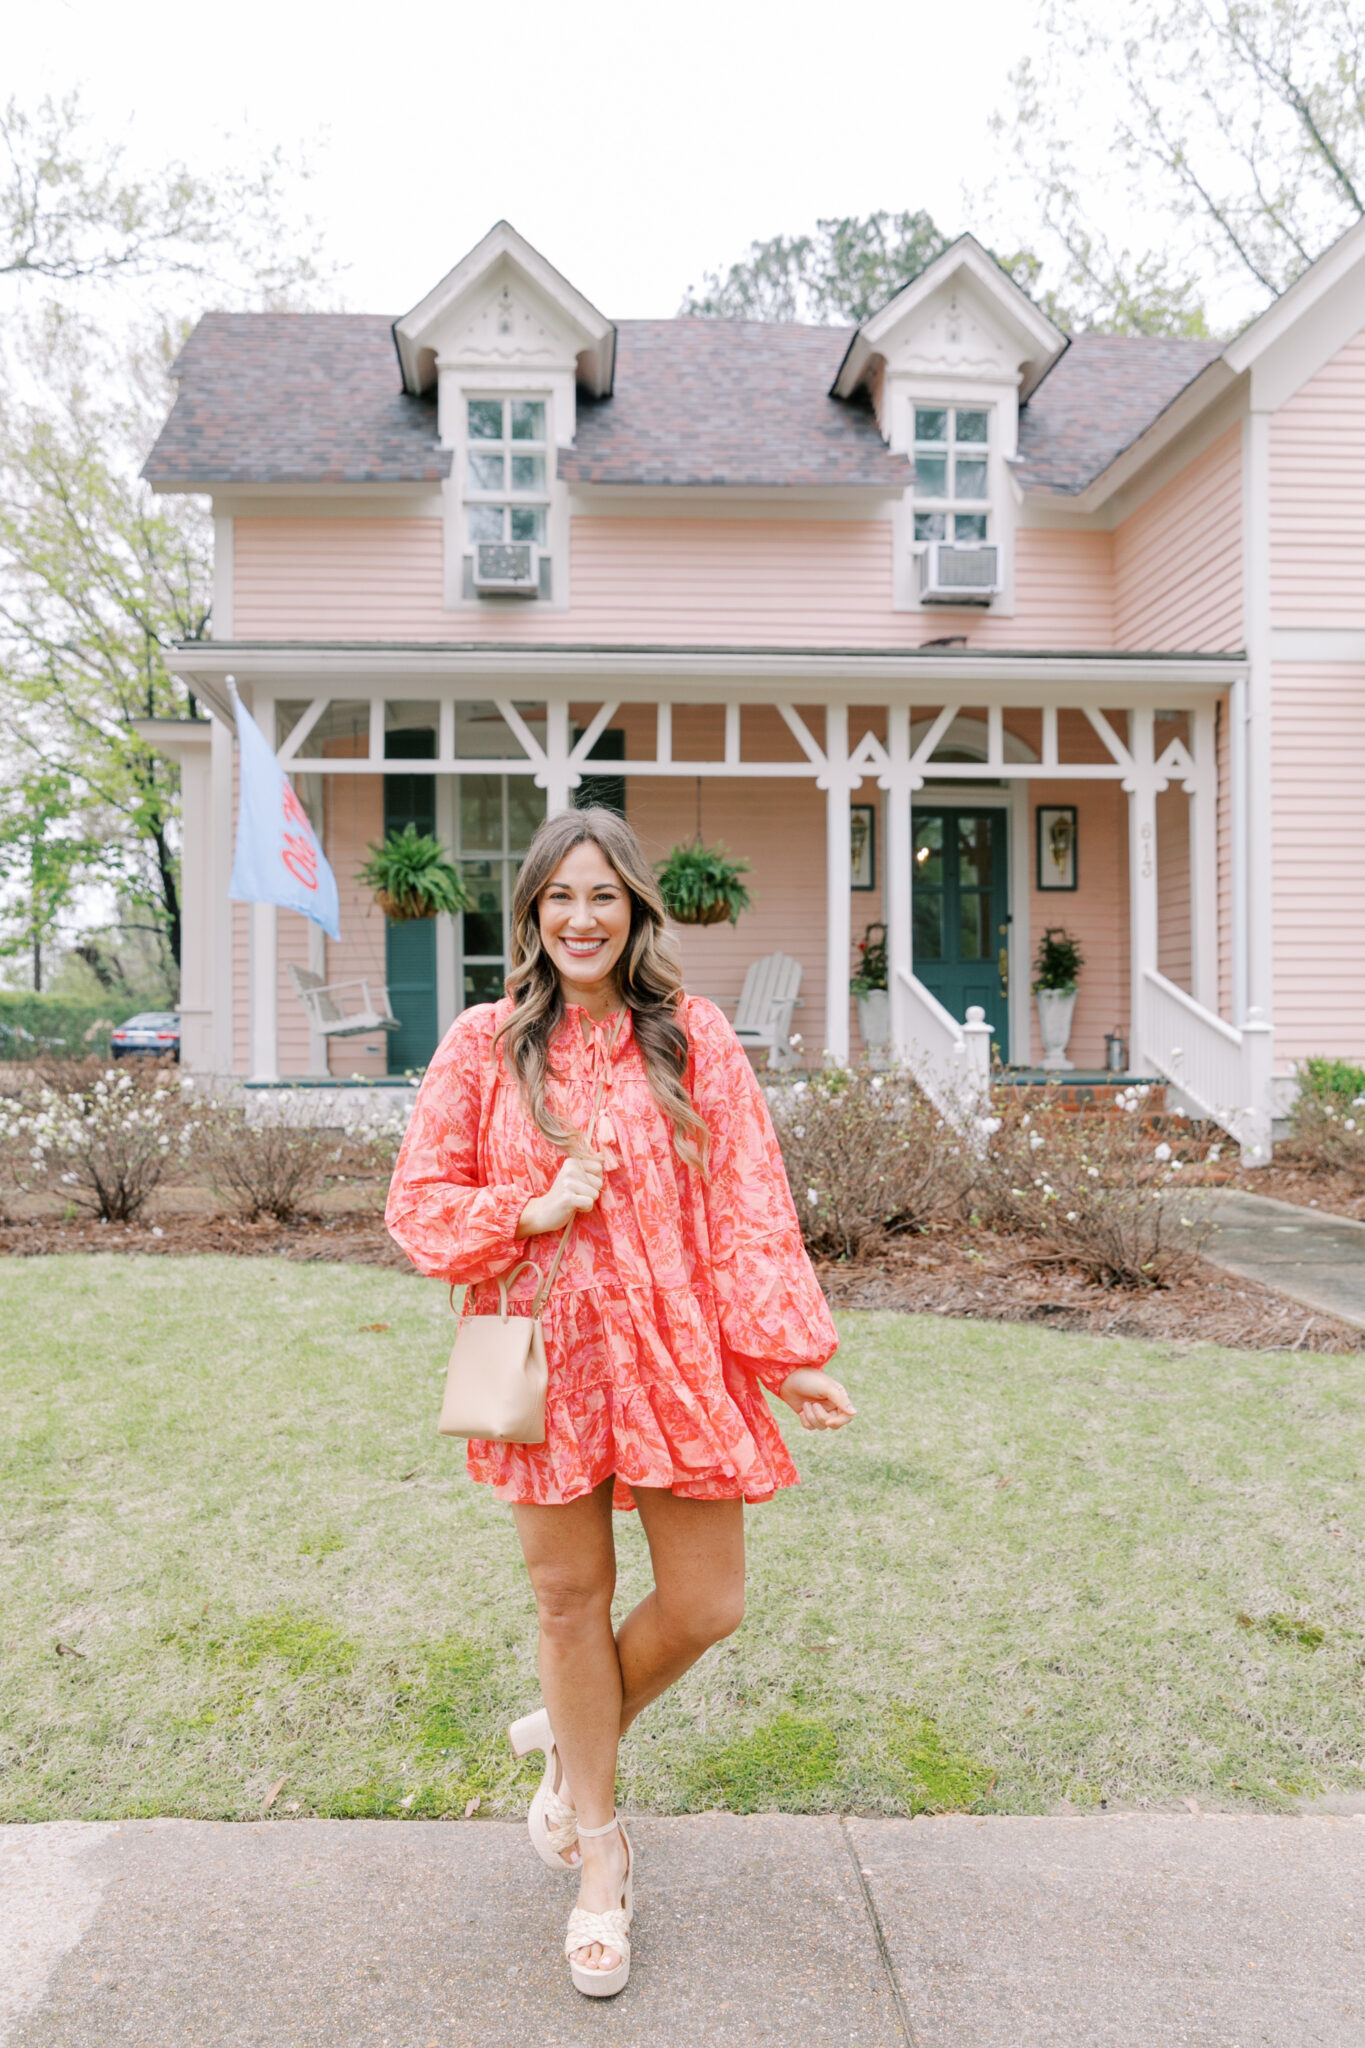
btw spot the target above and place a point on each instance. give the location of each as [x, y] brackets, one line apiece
[105, 1138]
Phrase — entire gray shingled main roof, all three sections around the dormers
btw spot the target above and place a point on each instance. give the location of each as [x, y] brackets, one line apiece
[316, 398]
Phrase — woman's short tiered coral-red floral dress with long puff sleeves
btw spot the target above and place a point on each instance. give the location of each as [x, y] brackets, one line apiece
[680, 1295]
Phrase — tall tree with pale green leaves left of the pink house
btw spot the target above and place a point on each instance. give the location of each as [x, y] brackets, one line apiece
[97, 581]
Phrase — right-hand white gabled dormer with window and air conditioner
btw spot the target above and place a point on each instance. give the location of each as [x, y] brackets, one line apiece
[949, 364]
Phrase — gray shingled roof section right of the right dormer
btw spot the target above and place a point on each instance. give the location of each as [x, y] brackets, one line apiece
[1096, 400]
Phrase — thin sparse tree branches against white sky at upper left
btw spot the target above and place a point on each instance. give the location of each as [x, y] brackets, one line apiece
[71, 216]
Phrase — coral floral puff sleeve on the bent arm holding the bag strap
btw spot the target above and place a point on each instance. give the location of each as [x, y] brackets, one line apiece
[439, 1211]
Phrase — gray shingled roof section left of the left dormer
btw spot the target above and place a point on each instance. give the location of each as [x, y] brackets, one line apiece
[296, 398]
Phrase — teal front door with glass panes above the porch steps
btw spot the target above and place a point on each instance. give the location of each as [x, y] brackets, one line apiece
[961, 912]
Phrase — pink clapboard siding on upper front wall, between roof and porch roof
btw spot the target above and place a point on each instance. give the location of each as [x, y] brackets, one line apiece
[656, 581]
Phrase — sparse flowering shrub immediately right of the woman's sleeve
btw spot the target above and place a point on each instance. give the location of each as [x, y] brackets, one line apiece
[867, 1156]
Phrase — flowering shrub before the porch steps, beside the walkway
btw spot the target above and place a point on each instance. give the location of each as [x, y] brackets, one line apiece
[1096, 1187]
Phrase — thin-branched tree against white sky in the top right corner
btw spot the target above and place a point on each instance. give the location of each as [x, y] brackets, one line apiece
[1241, 134]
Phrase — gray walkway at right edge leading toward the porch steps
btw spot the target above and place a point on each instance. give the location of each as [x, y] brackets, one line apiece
[1311, 1258]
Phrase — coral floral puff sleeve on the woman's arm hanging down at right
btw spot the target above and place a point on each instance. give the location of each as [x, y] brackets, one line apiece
[770, 1306]
